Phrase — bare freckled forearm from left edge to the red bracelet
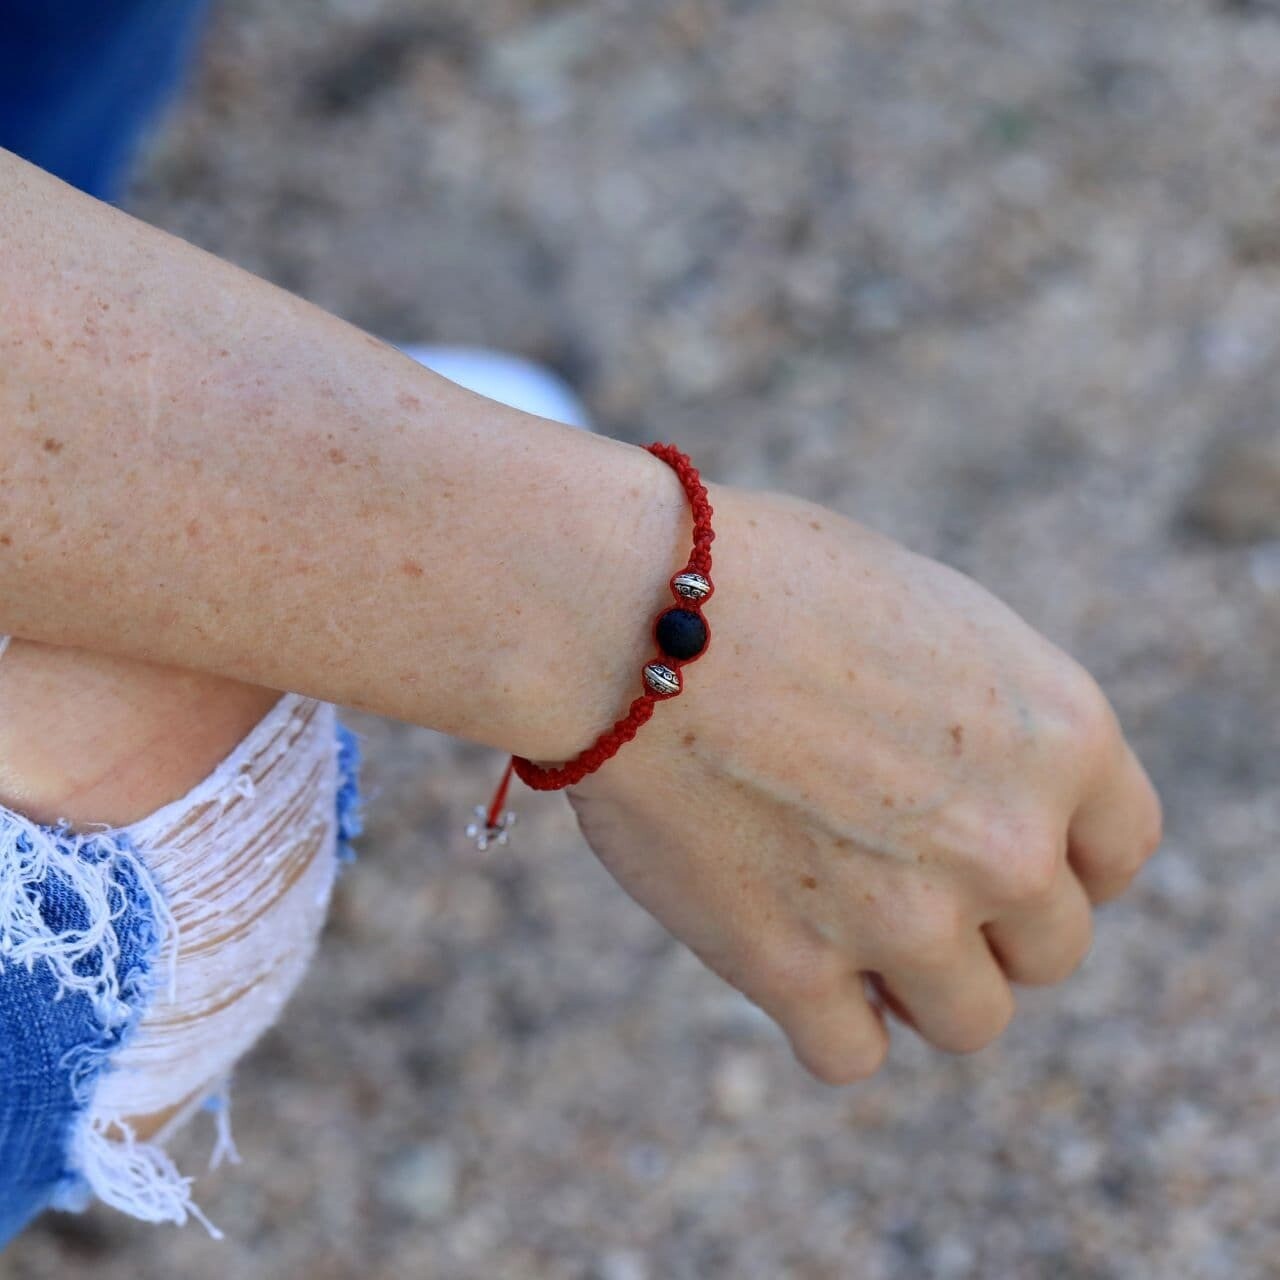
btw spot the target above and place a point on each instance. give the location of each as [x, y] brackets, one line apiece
[199, 469]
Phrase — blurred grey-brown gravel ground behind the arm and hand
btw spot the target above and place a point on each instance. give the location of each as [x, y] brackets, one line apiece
[998, 277]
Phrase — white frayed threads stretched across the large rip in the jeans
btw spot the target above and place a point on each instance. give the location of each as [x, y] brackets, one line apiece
[248, 863]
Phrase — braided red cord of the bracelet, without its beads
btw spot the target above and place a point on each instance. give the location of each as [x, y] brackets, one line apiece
[611, 742]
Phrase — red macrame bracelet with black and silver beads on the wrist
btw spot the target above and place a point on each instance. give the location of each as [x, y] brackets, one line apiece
[682, 636]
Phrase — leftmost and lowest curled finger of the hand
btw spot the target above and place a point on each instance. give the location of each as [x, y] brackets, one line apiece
[834, 1031]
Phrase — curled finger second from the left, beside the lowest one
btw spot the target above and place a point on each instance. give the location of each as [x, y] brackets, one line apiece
[959, 1002]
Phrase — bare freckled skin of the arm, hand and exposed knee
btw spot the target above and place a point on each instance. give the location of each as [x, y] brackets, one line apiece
[876, 767]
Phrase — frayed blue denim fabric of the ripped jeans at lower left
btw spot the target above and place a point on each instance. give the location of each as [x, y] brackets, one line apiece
[81, 925]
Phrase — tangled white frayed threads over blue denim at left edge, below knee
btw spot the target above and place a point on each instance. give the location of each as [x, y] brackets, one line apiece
[85, 961]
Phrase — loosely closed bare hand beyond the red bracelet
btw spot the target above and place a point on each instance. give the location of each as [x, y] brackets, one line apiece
[875, 769]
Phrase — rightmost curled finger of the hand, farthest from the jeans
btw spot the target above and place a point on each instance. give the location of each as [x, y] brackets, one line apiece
[1116, 830]
